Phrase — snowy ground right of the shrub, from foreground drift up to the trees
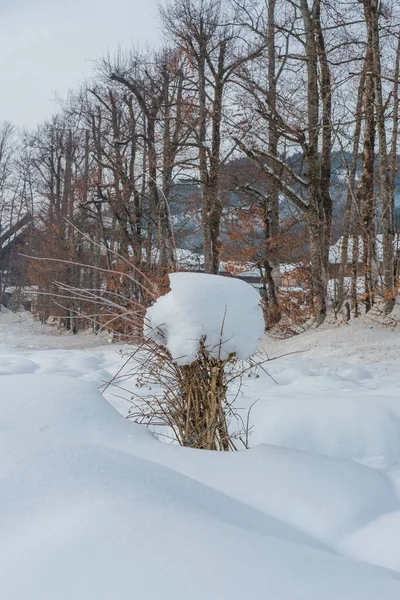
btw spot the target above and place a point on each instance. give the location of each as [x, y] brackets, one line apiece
[345, 406]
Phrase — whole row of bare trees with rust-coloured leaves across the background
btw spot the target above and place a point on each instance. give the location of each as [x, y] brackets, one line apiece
[258, 139]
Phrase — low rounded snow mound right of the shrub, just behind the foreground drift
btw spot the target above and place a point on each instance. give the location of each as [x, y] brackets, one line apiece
[357, 428]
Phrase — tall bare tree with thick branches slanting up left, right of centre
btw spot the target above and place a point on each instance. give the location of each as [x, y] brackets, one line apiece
[309, 191]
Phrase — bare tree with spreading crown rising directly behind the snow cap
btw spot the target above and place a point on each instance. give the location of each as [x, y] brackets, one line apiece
[205, 31]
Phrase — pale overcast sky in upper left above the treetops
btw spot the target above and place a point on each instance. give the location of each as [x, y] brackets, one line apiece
[48, 46]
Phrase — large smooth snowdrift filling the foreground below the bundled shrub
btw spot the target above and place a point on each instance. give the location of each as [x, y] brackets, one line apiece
[95, 508]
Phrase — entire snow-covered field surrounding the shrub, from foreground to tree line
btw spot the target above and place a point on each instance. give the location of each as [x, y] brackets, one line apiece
[94, 507]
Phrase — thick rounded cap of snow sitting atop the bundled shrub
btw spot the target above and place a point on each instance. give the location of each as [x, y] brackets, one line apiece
[224, 312]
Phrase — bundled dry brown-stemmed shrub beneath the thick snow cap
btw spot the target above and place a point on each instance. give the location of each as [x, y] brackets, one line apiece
[188, 404]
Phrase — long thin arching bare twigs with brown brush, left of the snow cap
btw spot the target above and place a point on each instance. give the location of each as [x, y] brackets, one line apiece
[112, 295]
